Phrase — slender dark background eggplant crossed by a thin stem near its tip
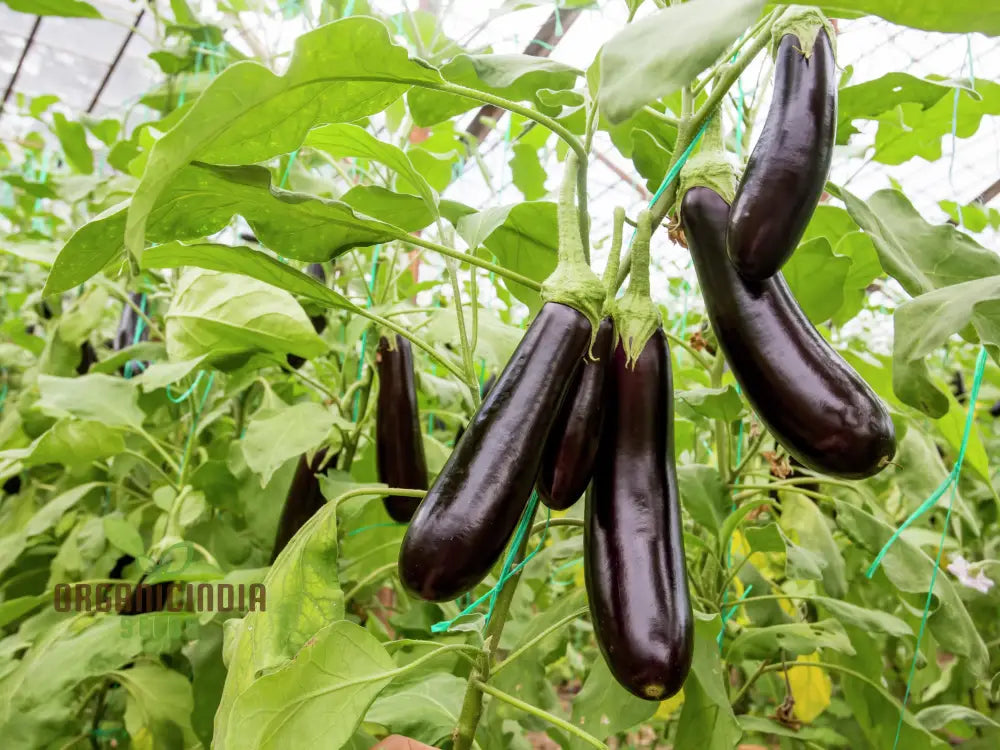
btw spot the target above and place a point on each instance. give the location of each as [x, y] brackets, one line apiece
[399, 441]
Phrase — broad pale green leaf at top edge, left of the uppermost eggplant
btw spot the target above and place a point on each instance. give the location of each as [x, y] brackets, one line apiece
[653, 57]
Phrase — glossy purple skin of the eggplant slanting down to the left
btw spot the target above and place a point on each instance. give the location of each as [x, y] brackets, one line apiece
[467, 518]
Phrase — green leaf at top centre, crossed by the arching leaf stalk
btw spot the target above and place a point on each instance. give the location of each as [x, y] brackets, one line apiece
[515, 77]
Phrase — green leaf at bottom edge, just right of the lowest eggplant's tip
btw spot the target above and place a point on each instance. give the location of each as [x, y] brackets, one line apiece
[707, 720]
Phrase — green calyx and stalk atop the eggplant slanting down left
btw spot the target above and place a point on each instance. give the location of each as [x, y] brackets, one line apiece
[572, 283]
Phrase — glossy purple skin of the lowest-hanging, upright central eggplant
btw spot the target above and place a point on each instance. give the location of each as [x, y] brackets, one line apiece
[633, 542]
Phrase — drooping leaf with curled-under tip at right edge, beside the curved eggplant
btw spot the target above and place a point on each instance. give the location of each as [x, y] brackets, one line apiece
[924, 324]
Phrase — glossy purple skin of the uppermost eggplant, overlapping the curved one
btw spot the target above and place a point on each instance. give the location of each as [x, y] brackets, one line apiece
[788, 168]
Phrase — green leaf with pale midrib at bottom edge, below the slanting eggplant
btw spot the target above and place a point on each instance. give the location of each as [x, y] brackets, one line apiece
[324, 692]
